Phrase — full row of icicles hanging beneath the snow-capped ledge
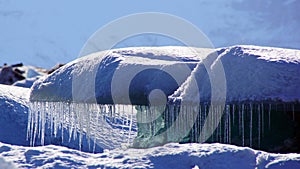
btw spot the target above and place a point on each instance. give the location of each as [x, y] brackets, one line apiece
[90, 119]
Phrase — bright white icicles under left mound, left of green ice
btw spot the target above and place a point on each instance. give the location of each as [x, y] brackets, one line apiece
[110, 126]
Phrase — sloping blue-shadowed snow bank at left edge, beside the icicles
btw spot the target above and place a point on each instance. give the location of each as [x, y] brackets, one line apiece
[13, 114]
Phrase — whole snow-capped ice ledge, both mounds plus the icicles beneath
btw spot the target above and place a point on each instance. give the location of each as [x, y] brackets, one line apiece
[260, 83]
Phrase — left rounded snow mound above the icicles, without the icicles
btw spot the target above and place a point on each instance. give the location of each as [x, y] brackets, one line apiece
[109, 75]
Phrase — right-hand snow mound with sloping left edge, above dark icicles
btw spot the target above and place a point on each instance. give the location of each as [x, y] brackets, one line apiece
[252, 73]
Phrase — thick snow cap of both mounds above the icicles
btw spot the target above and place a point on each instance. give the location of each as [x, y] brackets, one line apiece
[252, 74]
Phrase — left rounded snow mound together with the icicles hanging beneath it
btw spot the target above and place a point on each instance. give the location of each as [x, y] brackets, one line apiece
[74, 98]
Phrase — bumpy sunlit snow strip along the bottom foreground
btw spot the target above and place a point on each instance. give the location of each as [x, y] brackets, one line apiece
[208, 156]
